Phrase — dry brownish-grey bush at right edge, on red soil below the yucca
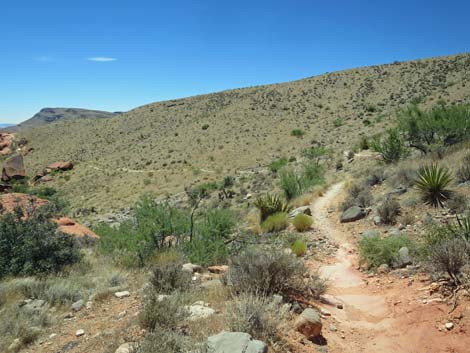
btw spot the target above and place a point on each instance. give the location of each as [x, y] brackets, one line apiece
[449, 256]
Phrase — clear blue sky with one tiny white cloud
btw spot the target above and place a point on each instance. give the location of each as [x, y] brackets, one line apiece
[117, 55]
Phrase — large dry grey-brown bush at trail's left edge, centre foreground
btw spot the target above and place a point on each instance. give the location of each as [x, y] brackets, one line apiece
[265, 272]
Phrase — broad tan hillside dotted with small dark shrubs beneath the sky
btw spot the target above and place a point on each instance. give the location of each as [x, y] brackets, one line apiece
[162, 147]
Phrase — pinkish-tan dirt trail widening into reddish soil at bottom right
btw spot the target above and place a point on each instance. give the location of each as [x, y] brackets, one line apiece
[380, 314]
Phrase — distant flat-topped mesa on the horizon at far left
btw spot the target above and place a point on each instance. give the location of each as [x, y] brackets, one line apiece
[51, 115]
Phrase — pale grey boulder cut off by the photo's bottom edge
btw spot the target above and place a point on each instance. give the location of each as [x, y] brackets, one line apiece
[235, 342]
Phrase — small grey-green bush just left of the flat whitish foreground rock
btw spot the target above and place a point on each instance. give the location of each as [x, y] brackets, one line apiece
[162, 314]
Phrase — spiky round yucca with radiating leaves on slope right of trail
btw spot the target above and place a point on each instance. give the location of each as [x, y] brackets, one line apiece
[432, 182]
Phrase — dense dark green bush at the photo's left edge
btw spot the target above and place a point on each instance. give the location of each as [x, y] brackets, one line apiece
[33, 245]
